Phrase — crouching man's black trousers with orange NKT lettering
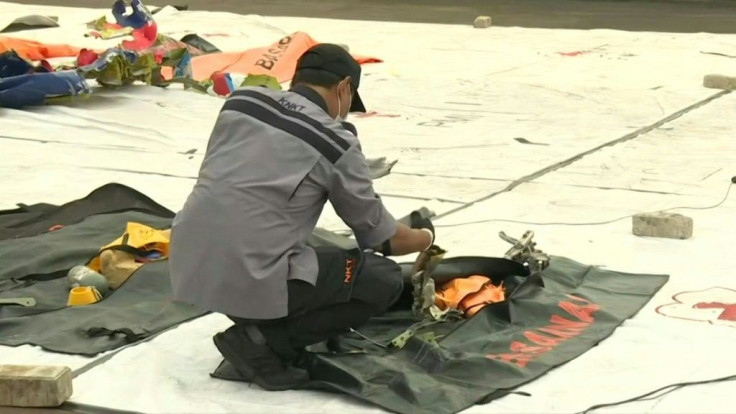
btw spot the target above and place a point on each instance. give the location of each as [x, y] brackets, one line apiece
[351, 287]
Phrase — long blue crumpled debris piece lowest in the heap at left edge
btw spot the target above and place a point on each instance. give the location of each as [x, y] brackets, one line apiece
[33, 89]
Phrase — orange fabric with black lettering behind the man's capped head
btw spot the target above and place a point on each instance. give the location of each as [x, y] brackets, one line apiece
[277, 60]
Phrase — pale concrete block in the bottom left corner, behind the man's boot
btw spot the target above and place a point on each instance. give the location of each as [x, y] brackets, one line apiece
[34, 385]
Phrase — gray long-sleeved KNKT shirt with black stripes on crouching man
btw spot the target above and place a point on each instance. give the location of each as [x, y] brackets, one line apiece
[274, 158]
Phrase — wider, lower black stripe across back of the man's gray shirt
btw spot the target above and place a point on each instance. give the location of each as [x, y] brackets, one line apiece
[284, 124]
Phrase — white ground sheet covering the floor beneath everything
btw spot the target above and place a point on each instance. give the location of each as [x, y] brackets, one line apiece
[462, 96]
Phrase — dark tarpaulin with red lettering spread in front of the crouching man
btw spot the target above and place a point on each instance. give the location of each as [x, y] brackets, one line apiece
[548, 319]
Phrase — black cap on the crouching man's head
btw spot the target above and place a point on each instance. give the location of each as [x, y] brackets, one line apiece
[336, 60]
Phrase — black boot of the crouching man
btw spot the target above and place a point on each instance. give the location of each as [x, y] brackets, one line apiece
[257, 362]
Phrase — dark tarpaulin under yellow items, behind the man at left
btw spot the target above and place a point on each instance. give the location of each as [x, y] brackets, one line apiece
[34, 262]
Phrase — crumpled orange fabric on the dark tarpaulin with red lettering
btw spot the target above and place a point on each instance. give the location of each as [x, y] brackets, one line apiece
[469, 294]
